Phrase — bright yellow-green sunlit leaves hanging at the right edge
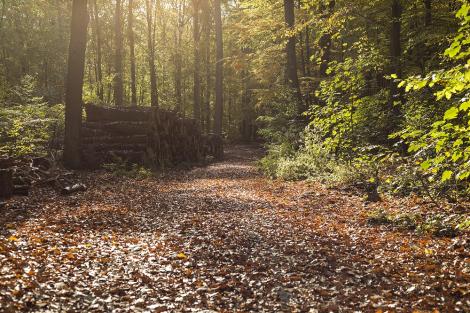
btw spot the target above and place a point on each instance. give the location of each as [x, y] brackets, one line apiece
[443, 149]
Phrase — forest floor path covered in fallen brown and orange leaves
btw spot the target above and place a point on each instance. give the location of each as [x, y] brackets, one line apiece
[220, 238]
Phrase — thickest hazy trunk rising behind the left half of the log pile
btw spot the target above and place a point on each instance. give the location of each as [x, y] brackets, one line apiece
[118, 79]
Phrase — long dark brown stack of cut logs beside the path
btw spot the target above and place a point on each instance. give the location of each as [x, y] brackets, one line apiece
[149, 136]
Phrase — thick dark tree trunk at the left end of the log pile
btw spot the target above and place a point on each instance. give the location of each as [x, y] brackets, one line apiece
[74, 84]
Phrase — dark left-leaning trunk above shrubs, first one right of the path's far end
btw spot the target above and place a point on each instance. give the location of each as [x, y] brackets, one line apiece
[292, 76]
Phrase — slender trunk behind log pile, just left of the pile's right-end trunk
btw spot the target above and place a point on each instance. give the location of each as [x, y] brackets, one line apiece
[197, 62]
